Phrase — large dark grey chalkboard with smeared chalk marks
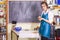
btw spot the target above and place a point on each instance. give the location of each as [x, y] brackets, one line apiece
[22, 11]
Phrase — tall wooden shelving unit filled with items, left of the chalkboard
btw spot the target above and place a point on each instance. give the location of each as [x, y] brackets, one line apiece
[3, 19]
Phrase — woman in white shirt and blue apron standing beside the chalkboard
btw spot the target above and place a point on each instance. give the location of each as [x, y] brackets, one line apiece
[46, 19]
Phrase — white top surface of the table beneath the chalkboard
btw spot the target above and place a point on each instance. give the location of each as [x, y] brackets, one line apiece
[27, 34]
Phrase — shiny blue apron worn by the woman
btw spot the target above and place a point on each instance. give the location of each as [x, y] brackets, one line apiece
[44, 29]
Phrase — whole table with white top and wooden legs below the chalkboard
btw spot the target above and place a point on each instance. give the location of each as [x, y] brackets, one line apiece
[25, 34]
